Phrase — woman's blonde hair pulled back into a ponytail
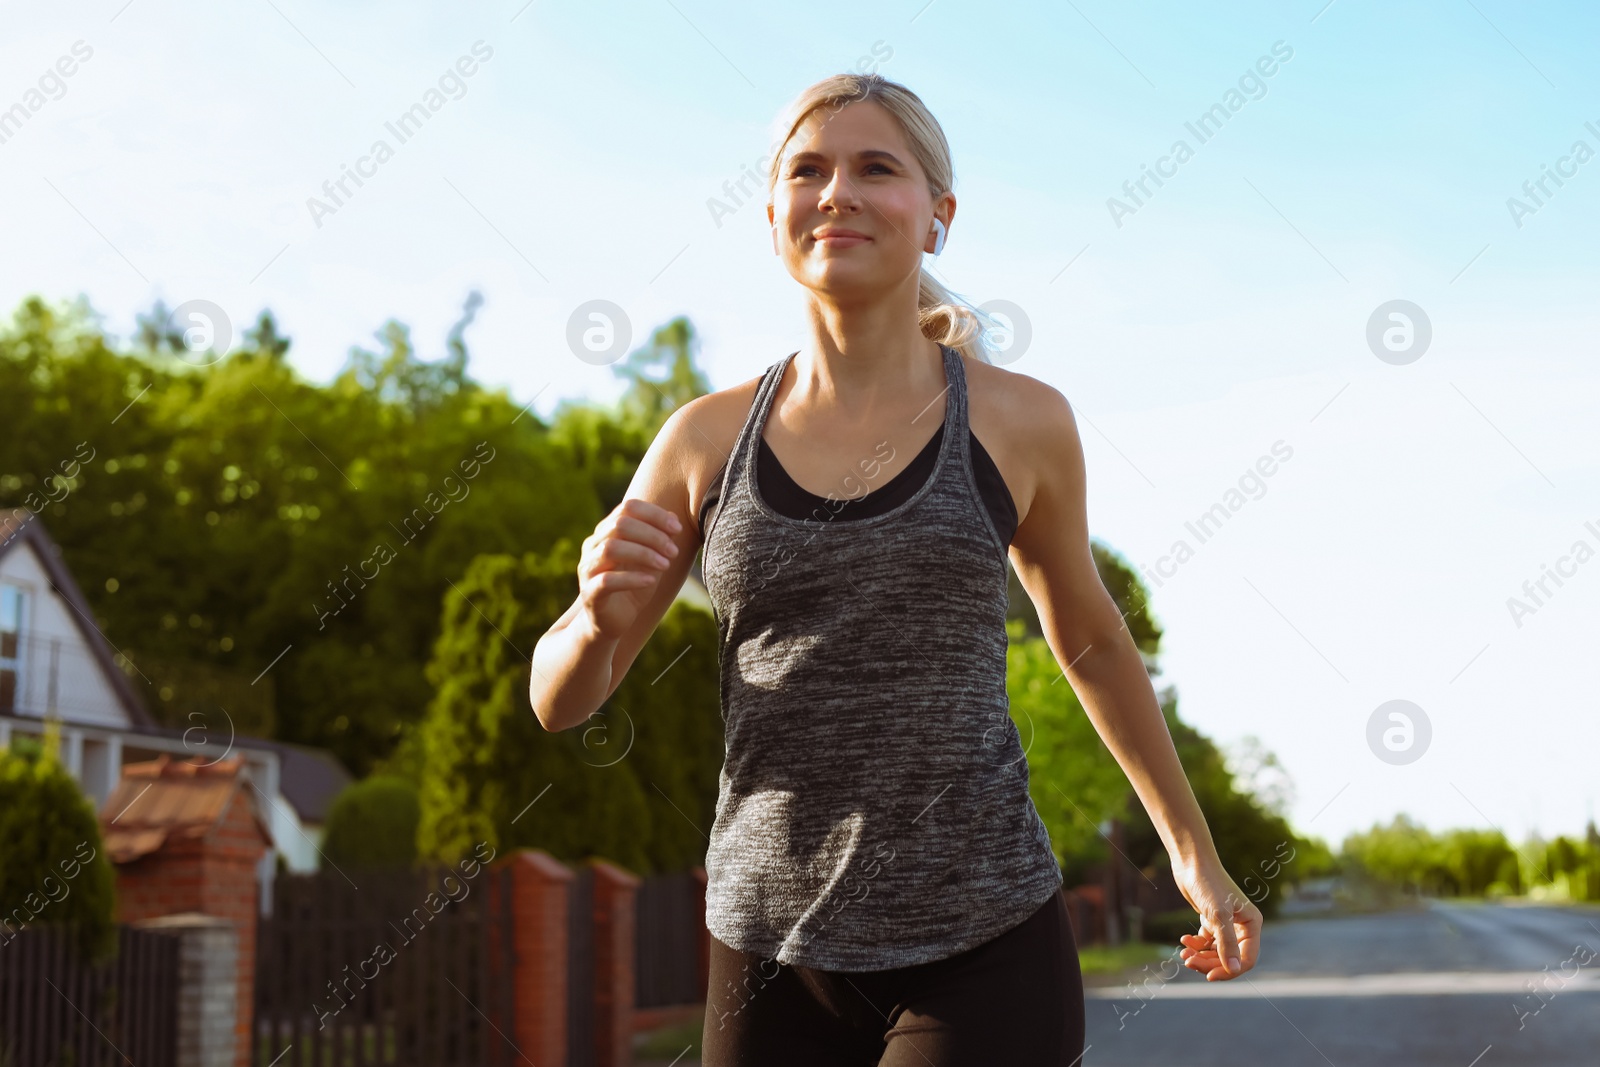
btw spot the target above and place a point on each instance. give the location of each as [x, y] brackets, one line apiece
[942, 314]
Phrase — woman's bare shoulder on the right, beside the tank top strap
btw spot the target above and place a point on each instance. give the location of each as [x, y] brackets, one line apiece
[1015, 418]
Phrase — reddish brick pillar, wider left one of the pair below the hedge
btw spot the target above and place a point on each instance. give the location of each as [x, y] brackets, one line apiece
[540, 940]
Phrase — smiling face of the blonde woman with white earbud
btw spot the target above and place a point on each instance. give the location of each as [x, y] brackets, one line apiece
[852, 212]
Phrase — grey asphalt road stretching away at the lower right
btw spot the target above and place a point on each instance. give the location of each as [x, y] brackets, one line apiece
[1444, 985]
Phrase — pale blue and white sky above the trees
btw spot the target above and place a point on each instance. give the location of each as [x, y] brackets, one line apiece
[1223, 324]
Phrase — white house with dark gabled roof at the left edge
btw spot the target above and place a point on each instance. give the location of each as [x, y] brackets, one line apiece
[55, 661]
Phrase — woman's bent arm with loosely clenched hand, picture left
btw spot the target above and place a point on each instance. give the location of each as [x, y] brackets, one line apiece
[630, 573]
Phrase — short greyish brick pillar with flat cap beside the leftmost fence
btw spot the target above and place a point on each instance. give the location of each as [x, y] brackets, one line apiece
[207, 975]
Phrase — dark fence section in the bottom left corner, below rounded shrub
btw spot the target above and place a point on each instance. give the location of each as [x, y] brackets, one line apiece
[57, 1009]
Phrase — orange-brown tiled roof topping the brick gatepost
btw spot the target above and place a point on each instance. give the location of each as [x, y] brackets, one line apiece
[164, 801]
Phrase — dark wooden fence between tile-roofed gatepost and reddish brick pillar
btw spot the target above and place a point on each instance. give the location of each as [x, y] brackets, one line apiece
[409, 969]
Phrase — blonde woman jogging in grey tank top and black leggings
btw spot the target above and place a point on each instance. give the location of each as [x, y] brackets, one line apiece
[881, 885]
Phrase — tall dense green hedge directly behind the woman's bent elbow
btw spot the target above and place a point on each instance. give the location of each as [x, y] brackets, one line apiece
[638, 785]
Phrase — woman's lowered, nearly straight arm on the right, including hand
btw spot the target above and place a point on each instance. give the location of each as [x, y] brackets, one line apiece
[1087, 634]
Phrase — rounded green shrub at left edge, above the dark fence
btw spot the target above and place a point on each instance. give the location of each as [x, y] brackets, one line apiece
[54, 865]
